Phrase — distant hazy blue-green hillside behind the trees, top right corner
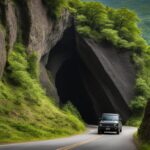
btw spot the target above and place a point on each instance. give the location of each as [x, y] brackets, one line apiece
[142, 9]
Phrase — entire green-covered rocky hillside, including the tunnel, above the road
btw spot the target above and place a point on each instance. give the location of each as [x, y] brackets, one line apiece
[62, 62]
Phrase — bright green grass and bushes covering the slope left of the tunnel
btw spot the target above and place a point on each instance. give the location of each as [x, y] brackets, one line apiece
[25, 111]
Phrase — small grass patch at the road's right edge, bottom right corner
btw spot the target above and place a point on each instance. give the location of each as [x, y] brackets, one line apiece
[141, 145]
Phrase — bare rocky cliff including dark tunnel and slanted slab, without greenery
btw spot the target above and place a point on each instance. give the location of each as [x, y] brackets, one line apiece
[96, 78]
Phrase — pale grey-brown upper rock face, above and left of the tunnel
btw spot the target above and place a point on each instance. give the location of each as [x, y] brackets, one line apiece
[44, 33]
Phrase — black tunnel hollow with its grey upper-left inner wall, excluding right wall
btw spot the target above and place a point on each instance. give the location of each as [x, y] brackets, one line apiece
[64, 64]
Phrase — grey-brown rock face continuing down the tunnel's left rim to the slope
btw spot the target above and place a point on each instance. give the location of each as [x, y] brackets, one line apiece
[43, 36]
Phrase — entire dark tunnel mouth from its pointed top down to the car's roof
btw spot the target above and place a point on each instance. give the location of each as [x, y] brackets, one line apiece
[74, 81]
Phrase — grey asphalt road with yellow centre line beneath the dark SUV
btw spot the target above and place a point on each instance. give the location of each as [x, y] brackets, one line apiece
[88, 141]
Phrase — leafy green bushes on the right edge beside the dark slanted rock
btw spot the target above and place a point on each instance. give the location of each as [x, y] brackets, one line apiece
[143, 80]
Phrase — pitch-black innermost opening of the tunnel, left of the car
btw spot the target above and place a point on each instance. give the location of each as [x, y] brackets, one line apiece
[70, 88]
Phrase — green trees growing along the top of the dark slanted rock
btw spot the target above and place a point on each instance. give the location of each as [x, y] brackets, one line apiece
[101, 23]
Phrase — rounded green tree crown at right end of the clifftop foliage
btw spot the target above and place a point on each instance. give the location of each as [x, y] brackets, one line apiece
[125, 22]
